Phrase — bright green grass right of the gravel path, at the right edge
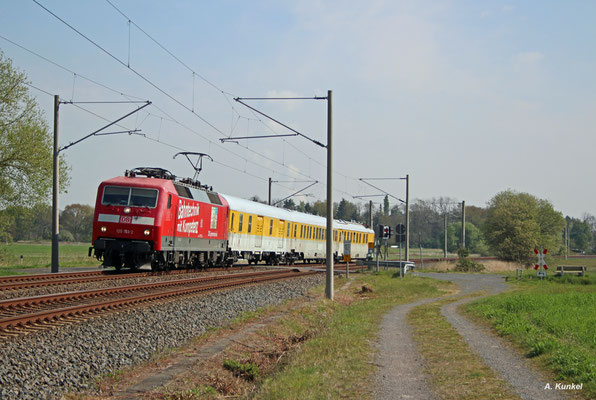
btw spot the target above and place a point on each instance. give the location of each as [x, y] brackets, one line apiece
[553, 321]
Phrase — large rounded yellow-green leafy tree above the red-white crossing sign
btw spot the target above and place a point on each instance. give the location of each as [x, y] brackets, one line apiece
[516, 223]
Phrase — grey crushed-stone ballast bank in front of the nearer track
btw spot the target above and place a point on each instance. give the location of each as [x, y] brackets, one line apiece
[48, 363]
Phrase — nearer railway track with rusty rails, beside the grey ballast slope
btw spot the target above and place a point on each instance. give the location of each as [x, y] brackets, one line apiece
[19, 316]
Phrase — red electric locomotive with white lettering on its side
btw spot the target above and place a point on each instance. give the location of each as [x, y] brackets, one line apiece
[162, 220]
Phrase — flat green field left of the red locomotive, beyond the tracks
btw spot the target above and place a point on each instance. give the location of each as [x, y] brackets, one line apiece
[38, 255]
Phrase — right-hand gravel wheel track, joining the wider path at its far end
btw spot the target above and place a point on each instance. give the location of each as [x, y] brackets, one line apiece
[527, 383]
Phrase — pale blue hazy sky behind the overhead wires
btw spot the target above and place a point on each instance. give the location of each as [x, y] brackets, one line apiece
[469, 98]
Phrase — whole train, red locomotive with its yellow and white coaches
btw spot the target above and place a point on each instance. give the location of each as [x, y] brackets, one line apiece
[150, 216]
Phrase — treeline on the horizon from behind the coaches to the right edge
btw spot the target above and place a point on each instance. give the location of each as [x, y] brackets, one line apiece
[510, 226]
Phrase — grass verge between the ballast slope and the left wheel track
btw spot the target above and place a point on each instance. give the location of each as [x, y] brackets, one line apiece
[336, 363]
